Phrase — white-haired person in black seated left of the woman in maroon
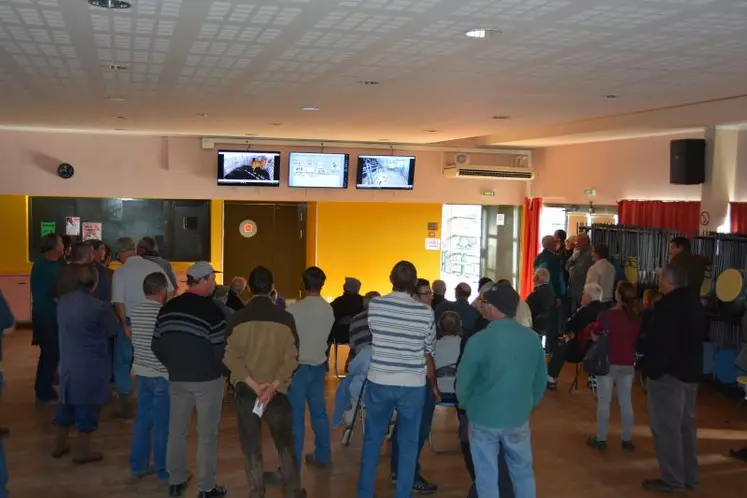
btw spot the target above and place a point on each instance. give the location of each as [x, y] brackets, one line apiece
[570, 348]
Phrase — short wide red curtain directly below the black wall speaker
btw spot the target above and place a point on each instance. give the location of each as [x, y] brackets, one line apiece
[681, 216]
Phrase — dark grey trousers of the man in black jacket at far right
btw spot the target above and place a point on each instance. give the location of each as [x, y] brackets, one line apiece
[672, 417]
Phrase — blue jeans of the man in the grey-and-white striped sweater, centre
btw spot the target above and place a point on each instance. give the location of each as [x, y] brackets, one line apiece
[381, 401]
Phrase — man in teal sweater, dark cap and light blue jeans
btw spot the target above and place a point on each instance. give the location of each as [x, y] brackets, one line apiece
[500, 380]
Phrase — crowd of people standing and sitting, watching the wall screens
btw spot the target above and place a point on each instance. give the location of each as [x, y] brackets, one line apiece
[409, 350]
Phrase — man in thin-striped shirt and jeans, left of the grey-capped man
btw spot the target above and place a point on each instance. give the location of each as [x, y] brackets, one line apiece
[152, 417]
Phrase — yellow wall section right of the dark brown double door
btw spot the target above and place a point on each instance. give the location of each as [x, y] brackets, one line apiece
[365, 240]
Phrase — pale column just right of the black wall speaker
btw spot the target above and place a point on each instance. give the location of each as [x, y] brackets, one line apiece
[722, 158]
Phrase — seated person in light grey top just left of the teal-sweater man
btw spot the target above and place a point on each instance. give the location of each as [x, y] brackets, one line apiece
[446, 356]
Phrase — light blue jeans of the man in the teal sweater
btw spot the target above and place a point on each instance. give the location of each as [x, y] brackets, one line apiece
[486, 444]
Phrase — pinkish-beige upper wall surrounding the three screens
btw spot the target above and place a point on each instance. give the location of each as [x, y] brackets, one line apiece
[127, 166]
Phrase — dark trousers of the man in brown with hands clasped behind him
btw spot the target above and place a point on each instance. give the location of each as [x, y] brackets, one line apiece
[279, 417]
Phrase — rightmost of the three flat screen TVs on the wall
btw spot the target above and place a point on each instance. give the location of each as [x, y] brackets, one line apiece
[386, 172]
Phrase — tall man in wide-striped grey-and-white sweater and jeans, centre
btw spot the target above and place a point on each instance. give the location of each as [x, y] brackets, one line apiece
[404, 335]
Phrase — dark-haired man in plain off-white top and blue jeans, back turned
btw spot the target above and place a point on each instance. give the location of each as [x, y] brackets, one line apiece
[314, 319]
